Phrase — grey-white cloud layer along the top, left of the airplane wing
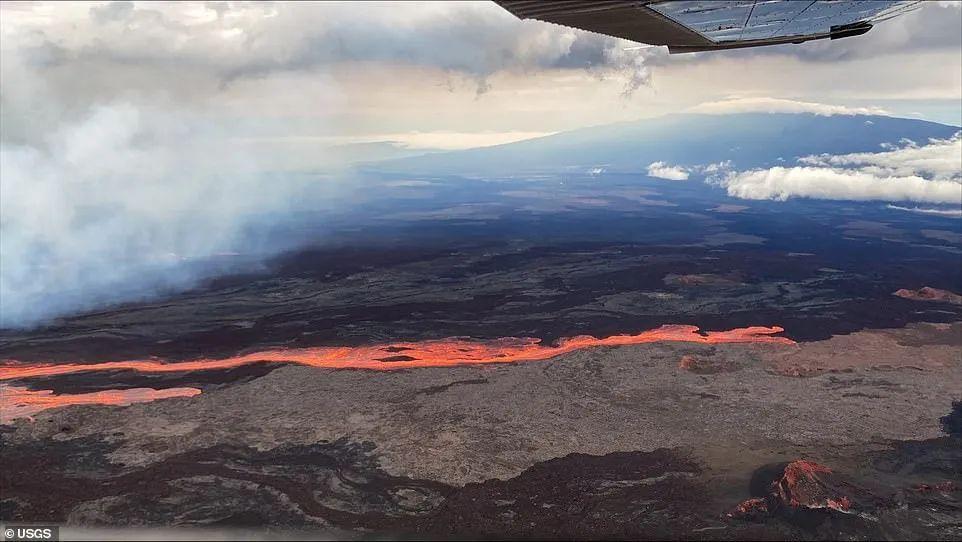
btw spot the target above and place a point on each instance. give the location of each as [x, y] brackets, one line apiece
[255, 40]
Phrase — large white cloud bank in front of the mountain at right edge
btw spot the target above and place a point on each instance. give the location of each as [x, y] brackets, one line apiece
[924, 174]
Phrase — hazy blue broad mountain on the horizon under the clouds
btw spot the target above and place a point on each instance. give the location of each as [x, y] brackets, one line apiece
[747, 139]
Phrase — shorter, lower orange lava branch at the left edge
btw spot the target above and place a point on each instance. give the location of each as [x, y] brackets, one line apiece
[22, 403]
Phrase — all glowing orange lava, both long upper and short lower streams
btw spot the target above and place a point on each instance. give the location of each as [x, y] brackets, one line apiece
[17, 402]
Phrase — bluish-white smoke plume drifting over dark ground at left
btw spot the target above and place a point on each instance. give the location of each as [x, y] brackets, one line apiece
[125, 203]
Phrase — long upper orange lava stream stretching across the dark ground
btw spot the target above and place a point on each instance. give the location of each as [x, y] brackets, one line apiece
[439, 353]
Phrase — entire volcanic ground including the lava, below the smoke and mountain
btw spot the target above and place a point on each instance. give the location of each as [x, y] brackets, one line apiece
[839, 419]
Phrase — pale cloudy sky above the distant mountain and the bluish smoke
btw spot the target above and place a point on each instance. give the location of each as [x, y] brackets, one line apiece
[287, 78]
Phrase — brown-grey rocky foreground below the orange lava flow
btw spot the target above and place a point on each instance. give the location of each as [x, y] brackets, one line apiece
[622, 434]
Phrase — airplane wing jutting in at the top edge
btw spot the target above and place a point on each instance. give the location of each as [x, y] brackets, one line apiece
[706, 25]
